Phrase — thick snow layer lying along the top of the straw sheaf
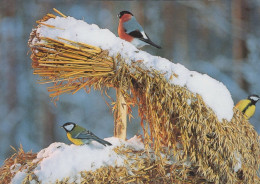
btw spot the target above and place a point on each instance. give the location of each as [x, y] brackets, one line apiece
[214, 93]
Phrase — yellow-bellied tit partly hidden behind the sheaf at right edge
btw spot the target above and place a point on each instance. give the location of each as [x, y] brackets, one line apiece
[247, 106]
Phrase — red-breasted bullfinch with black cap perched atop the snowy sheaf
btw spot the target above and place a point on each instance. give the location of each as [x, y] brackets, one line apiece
[130, 30]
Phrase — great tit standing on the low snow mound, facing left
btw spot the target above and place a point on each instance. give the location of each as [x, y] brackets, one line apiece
[79, 135]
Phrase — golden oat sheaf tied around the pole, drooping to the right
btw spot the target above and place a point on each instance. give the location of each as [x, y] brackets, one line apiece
[177, 118]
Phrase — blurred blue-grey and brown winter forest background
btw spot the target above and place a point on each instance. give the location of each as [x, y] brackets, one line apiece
[220, 38]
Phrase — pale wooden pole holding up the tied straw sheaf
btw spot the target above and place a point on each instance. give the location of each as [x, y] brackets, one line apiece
[120, 117]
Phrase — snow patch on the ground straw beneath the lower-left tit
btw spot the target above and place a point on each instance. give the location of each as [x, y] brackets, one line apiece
[59, 160]
